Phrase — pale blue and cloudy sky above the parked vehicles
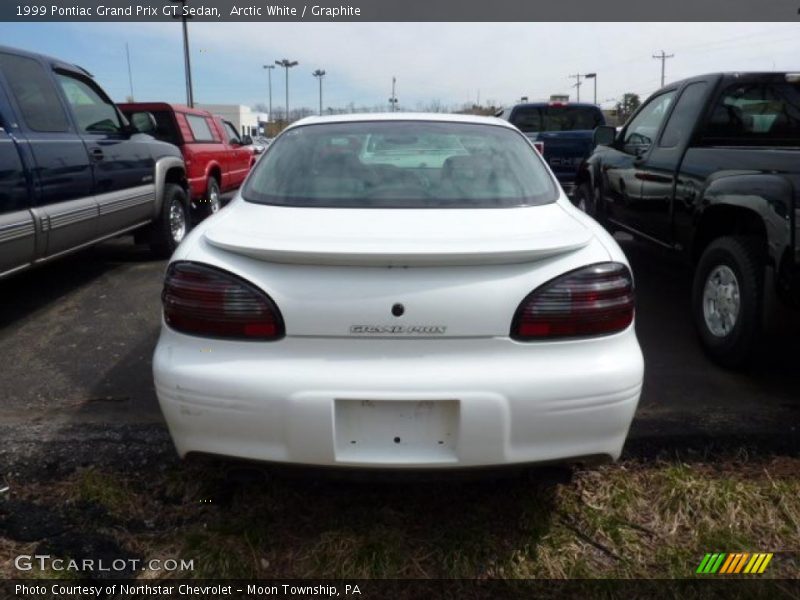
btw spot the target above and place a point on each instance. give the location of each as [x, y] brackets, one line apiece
[451, 63]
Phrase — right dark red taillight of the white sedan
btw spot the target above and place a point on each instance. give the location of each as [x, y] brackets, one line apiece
[593, 300]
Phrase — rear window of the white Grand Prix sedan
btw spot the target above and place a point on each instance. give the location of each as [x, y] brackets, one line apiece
[400, 164]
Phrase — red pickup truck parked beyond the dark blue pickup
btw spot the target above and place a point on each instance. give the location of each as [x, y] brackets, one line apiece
[217, 158]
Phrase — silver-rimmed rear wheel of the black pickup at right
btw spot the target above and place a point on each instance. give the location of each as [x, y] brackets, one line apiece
[726, 298]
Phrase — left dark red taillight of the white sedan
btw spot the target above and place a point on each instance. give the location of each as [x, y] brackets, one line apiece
[205, 301]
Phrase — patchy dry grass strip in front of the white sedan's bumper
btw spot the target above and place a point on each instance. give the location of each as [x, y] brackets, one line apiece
[630, 520]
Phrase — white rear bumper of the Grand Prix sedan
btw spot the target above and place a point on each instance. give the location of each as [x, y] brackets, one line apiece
[399, 403]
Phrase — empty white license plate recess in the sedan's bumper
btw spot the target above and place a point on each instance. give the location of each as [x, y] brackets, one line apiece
[396, 431]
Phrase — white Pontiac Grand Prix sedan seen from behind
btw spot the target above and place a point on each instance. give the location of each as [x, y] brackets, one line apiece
[401, 291]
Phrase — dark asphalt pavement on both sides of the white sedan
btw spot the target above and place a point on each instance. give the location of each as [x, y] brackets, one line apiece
[77, 338]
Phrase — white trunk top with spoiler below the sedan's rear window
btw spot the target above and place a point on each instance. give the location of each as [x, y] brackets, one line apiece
[398, 237]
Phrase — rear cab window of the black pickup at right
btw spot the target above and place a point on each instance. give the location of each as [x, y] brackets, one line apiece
[756, 114]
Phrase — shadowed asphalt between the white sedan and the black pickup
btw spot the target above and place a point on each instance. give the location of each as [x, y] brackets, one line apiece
[687, 399]
